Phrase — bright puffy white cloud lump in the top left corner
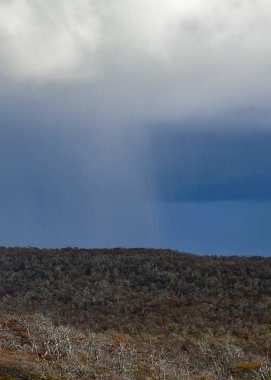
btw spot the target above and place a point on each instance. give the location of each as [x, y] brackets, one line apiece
[41, 41]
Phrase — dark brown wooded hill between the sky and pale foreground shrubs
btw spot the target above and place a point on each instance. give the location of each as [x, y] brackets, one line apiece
[184, 298]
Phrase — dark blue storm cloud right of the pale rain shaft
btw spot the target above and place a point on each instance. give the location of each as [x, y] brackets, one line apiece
[205, 166]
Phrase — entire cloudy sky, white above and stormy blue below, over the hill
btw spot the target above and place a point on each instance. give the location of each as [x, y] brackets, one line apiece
[136, 124]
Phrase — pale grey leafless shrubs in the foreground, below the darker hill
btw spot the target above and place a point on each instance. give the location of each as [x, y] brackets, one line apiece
[66, 353]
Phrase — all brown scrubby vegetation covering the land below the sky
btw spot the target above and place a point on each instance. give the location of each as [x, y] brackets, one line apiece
[133, 314]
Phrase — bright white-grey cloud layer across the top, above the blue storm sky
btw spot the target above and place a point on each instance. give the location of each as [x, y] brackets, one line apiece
[172, 58]
